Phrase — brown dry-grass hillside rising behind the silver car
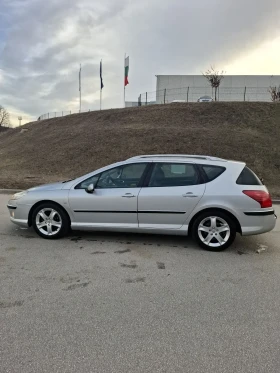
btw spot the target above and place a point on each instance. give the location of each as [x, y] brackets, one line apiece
[67, 147]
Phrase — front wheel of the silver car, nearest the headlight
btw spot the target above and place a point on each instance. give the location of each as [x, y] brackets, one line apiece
[50, 221]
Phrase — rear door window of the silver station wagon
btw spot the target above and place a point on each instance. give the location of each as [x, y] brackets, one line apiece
[173, 174]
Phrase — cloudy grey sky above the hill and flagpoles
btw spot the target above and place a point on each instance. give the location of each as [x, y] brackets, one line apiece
[42, 44]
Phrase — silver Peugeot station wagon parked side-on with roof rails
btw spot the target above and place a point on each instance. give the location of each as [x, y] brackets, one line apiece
[209, 198]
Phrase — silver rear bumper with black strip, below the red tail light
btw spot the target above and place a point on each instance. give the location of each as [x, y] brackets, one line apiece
[258, 222]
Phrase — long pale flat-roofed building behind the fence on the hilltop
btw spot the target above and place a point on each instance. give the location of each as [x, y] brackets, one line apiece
[232, 88]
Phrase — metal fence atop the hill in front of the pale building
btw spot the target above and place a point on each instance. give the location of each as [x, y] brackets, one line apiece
[192, 94]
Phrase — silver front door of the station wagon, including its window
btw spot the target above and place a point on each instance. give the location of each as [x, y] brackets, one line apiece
[113, 203]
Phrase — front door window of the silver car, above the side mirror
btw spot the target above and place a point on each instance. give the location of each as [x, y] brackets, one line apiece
[127, 176]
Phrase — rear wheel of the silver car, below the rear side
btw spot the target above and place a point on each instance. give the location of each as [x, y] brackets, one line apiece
[214, 230]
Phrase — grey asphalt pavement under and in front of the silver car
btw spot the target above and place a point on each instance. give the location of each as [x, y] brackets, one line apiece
[98, 302]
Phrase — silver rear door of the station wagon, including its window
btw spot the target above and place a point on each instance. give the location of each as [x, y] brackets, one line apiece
[171, 194]
